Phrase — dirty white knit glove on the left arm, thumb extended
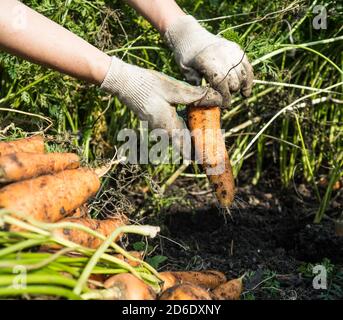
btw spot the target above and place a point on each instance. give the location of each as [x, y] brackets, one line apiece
[152, 95]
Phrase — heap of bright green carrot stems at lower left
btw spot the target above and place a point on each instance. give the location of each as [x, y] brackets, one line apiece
[24, 270]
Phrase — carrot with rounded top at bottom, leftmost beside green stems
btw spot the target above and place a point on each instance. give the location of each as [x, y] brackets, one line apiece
[129, 288]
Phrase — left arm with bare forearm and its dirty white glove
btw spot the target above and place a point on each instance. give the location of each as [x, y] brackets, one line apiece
[150, 94]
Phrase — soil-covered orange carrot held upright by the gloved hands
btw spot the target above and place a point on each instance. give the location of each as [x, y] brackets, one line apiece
[210, 151]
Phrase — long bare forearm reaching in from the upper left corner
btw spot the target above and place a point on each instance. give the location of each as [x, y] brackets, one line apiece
[26, 33]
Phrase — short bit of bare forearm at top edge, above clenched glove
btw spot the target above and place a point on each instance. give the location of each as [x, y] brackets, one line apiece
[161, 13]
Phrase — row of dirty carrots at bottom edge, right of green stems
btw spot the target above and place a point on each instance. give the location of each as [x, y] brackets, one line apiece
[178, 285]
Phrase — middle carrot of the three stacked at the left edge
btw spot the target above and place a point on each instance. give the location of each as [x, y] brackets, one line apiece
[24, 165]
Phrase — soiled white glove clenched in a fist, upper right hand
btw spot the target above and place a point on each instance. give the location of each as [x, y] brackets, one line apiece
[200, 53]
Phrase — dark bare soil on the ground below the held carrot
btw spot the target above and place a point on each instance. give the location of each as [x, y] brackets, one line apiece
[269, 235]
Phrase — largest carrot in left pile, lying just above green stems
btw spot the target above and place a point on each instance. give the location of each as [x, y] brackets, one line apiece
[50, 198]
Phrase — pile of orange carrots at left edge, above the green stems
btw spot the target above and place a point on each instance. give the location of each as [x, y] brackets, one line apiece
[50, 187]
